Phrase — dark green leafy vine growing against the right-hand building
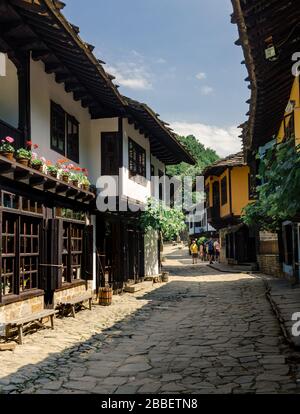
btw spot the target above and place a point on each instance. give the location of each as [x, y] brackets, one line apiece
[279, 193]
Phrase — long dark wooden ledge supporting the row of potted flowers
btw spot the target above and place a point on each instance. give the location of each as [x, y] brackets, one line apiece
[12, 170]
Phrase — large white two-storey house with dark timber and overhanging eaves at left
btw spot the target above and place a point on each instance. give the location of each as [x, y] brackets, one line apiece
[56, 94]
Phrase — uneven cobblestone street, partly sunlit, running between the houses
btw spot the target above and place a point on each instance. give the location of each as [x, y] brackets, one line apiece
[203, 332]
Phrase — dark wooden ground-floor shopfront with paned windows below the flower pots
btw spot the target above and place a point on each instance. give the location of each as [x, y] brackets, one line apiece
[46, 237]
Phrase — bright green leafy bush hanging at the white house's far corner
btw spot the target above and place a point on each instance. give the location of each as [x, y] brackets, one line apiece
[169, 222]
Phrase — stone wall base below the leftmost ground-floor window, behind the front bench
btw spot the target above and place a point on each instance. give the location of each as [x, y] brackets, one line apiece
[20, 309]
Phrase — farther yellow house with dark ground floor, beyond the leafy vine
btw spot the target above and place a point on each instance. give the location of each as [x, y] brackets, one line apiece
[227, 184]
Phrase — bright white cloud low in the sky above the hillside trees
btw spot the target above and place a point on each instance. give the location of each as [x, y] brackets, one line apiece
[224, 141]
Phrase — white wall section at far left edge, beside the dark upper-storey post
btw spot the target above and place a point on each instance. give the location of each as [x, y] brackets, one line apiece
[9, 94]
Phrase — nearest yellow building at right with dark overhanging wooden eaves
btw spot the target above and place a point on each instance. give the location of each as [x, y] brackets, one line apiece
[272, 61]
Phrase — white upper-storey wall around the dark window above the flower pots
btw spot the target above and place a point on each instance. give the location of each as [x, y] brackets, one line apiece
[44, 88]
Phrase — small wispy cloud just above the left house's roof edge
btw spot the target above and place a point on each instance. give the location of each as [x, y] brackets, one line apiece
[131, 75]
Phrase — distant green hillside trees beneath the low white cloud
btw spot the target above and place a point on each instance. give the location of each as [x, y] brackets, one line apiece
[203, 156]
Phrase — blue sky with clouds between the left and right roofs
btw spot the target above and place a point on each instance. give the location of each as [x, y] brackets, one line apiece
[178, 56]
